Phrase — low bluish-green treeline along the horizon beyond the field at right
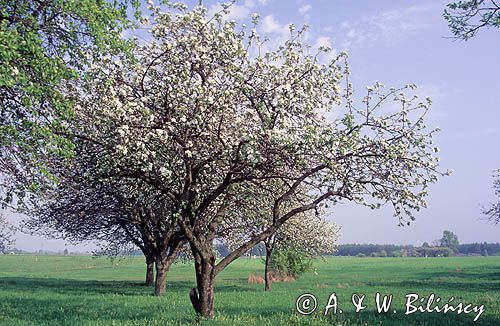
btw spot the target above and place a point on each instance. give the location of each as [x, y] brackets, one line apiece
[484, 249]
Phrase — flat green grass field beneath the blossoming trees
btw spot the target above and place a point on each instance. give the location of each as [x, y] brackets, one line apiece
[68, 290]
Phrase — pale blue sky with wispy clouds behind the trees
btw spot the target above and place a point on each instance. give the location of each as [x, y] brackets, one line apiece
[399, 43]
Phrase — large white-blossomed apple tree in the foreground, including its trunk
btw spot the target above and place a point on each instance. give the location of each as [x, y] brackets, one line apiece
[200, 111]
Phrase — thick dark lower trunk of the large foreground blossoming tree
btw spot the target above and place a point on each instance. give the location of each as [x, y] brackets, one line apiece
[202, 297]
